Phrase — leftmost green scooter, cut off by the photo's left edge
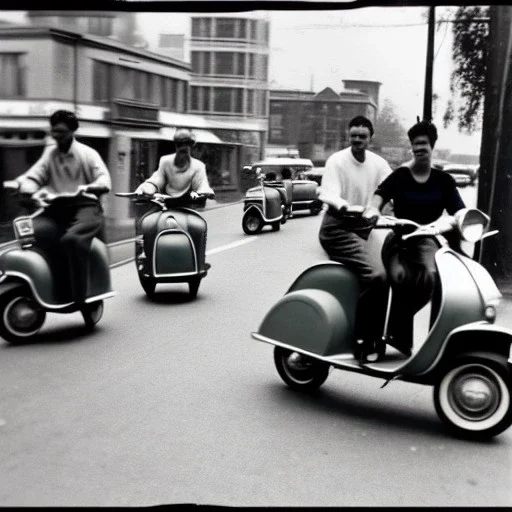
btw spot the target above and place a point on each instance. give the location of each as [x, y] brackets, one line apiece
[28, 286]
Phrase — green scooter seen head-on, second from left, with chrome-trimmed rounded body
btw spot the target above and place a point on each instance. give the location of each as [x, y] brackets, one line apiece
[165, 252]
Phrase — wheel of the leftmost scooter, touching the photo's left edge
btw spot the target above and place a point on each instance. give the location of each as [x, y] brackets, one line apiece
[21, 316]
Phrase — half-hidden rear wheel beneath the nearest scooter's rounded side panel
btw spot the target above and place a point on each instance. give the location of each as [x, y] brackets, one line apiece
[300, 372]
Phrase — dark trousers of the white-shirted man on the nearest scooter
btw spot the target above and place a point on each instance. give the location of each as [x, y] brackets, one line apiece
[350, 249]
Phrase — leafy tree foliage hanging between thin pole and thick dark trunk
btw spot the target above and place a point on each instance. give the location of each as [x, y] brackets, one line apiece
[470, 53]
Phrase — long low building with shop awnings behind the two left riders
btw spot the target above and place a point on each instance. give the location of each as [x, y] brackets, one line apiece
[129, 100]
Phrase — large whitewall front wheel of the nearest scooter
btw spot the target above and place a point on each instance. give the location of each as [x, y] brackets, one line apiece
[473, 397]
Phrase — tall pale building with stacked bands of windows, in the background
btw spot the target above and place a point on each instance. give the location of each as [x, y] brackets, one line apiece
[229, 81]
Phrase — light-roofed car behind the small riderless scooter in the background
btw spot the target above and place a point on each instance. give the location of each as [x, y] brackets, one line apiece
[304, 190]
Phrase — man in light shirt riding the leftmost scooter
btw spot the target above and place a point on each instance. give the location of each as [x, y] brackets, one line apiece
[68, 167]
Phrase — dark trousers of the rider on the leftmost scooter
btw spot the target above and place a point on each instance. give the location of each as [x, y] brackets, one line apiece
[65, 234]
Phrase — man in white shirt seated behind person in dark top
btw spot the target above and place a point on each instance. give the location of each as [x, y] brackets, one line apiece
[350, 178]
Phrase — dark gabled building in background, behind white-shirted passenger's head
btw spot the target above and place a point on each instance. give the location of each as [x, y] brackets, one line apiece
[316, 124]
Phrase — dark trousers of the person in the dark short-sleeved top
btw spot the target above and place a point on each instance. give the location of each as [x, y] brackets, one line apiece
[412, 274]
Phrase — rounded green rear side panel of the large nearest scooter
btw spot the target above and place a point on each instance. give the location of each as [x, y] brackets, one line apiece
[309, 319]
